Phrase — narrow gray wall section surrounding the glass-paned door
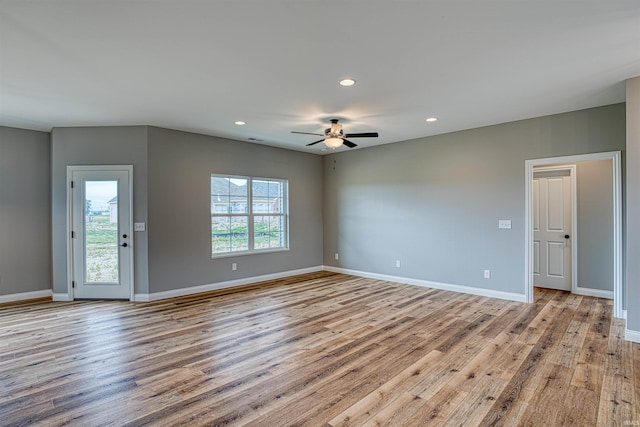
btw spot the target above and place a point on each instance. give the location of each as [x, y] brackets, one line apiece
[97, 146]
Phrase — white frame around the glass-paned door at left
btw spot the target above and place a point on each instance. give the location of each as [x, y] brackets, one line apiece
[70, 259]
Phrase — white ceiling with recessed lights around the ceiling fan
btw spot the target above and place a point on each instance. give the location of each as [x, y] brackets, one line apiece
[275, 64]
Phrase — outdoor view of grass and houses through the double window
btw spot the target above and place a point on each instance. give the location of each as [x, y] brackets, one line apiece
[248, 214]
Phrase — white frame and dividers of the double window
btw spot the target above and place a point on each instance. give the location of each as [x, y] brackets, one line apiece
[250, 215]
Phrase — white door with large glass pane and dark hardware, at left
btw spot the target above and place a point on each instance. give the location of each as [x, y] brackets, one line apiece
[101, 232]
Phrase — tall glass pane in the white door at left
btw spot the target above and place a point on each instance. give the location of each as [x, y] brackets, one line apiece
[101, 231]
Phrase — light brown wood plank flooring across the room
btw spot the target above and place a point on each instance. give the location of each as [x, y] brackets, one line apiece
[320, 349]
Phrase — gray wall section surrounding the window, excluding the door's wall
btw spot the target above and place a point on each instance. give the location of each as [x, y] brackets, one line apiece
[180, 168]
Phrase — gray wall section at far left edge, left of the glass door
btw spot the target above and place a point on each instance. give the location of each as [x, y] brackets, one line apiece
[25, 206]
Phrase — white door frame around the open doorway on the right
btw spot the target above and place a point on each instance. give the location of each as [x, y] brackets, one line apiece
[615, 157]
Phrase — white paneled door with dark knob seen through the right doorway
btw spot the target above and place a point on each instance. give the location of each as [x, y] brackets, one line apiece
[552, 231]
